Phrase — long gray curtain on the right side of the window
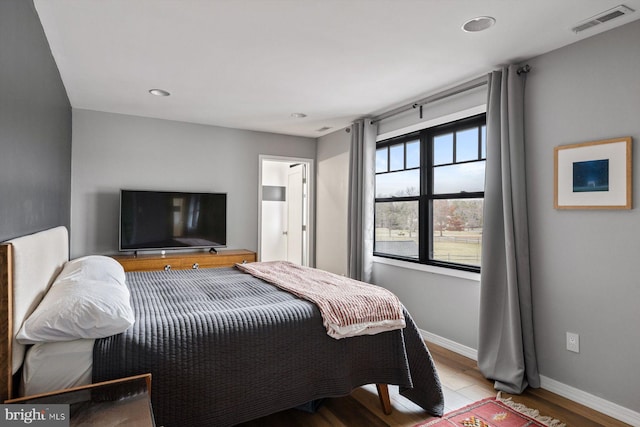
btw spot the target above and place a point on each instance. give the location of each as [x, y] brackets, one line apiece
[506, 349]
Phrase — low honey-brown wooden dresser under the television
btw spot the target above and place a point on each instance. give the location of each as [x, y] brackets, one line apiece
[185, 261]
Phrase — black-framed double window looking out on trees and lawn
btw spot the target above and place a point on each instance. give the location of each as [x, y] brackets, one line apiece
[430, 193]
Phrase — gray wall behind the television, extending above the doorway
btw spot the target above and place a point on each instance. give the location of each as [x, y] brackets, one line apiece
[114, 151]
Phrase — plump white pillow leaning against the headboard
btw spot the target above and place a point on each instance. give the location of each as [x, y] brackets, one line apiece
[88, 299]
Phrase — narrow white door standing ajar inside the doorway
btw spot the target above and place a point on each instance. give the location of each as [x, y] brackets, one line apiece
[296, 223]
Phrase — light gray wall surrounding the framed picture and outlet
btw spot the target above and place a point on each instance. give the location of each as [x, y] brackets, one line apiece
[585, 264]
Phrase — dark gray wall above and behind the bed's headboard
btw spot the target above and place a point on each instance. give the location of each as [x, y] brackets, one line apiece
[35, 127]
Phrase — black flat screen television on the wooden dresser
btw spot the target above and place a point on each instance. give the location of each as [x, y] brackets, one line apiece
[158, 220]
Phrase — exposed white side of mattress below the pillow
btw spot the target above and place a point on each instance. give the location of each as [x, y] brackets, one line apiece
[57, 365]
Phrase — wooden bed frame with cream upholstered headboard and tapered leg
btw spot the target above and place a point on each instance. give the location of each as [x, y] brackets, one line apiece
[8, 309]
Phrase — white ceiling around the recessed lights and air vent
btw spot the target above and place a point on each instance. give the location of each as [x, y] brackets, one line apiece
[250, 64]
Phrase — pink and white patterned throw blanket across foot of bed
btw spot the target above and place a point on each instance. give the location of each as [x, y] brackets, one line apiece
[348, 307]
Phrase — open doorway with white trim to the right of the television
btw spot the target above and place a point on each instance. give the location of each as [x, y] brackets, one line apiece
[285, 206]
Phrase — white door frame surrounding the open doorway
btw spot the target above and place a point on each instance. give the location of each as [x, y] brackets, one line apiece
[311, 229]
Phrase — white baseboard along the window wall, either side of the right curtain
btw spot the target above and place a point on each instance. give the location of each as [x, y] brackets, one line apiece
[589, 400]
